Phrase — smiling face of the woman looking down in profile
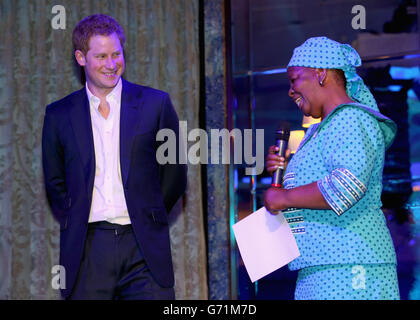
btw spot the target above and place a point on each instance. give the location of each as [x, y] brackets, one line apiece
[304, 90]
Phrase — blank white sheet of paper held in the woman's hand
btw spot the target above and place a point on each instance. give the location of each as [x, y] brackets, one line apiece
[265, 242]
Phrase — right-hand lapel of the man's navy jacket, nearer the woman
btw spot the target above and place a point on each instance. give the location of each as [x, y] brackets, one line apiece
[131, 106]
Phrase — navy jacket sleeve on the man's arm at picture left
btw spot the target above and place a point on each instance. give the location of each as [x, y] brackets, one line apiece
[53, 166]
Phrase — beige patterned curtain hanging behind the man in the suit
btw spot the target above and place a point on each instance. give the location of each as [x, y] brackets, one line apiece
[36, 69]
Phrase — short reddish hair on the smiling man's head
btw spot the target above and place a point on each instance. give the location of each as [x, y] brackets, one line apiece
[97, 24]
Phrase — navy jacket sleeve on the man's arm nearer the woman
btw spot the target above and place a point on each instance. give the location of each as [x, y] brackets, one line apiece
[172, 177]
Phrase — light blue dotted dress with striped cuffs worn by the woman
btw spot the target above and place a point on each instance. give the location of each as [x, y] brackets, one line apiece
[346, 252]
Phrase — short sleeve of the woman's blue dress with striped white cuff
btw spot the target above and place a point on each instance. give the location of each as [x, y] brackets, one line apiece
[350, 148]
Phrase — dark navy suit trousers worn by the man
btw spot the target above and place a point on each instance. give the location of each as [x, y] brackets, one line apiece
[113, 267]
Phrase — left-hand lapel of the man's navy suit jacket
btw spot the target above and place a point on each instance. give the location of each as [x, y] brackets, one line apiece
[82, 128]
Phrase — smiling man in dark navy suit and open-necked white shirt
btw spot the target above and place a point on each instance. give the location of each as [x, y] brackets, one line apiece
[103, 181]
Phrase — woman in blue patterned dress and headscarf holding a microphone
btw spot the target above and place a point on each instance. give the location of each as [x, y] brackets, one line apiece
[333, 183]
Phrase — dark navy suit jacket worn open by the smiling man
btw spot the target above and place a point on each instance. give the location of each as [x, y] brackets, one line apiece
[150, 189]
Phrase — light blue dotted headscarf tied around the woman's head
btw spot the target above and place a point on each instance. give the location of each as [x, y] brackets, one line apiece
[322, 52]
